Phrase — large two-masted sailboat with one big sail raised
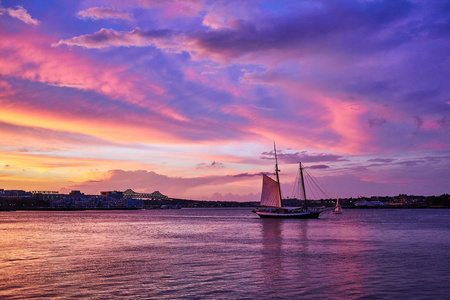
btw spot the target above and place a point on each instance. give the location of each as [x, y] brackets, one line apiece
[270, 204]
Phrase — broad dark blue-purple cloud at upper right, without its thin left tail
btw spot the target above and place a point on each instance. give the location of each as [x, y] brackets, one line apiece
[313, 29]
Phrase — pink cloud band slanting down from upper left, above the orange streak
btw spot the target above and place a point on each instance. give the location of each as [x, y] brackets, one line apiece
[29, 57]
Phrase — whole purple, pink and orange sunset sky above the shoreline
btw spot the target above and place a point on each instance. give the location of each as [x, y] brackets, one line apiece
[188, 97]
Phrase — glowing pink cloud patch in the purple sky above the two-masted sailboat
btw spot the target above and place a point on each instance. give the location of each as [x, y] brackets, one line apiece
[327, 119]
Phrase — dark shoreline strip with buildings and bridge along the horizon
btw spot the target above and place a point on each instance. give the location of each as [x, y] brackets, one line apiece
[110, 200]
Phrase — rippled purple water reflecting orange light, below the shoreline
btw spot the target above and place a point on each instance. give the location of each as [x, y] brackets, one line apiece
[224, 254]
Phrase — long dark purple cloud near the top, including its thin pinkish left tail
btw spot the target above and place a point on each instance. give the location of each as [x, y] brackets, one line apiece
[332, 25]
